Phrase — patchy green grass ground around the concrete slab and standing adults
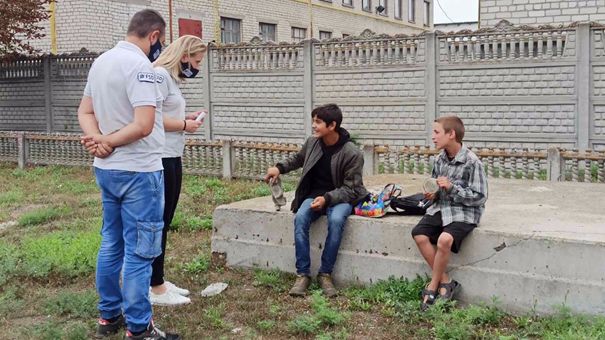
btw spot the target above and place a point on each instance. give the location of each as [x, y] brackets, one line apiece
[47, 277]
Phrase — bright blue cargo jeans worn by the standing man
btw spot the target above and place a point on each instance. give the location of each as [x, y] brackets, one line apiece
[133, 205]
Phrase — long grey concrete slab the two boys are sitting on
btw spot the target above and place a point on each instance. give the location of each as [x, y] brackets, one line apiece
[539, 244]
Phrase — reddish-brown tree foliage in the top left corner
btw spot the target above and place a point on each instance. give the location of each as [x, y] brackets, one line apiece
[19, 23]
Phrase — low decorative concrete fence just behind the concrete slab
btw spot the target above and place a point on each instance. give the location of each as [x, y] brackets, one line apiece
[236, 159]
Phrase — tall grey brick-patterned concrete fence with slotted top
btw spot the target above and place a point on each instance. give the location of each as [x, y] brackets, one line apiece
[515, 87]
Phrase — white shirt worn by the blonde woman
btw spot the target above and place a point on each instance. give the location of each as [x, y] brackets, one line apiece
[173, 107]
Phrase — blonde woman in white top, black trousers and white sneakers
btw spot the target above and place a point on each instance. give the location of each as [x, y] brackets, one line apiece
[182, 59]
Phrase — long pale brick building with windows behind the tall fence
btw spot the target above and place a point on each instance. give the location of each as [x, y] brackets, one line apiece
[98, 25]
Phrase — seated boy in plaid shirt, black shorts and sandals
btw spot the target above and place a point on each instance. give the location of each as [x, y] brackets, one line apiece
[457, 208]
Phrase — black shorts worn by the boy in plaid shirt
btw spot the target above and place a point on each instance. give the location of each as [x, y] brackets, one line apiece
[432, 226]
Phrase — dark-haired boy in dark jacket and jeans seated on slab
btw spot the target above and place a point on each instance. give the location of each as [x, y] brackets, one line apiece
[331, 183]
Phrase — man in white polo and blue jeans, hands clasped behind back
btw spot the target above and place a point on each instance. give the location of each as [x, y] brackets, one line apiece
[121, 117]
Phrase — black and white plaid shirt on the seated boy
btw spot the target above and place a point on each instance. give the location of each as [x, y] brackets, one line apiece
[465, 201]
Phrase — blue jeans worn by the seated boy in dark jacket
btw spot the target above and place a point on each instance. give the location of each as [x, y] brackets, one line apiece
[337, 217]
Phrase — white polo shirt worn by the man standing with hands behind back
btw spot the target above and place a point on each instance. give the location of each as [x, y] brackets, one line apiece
[120, 80]
